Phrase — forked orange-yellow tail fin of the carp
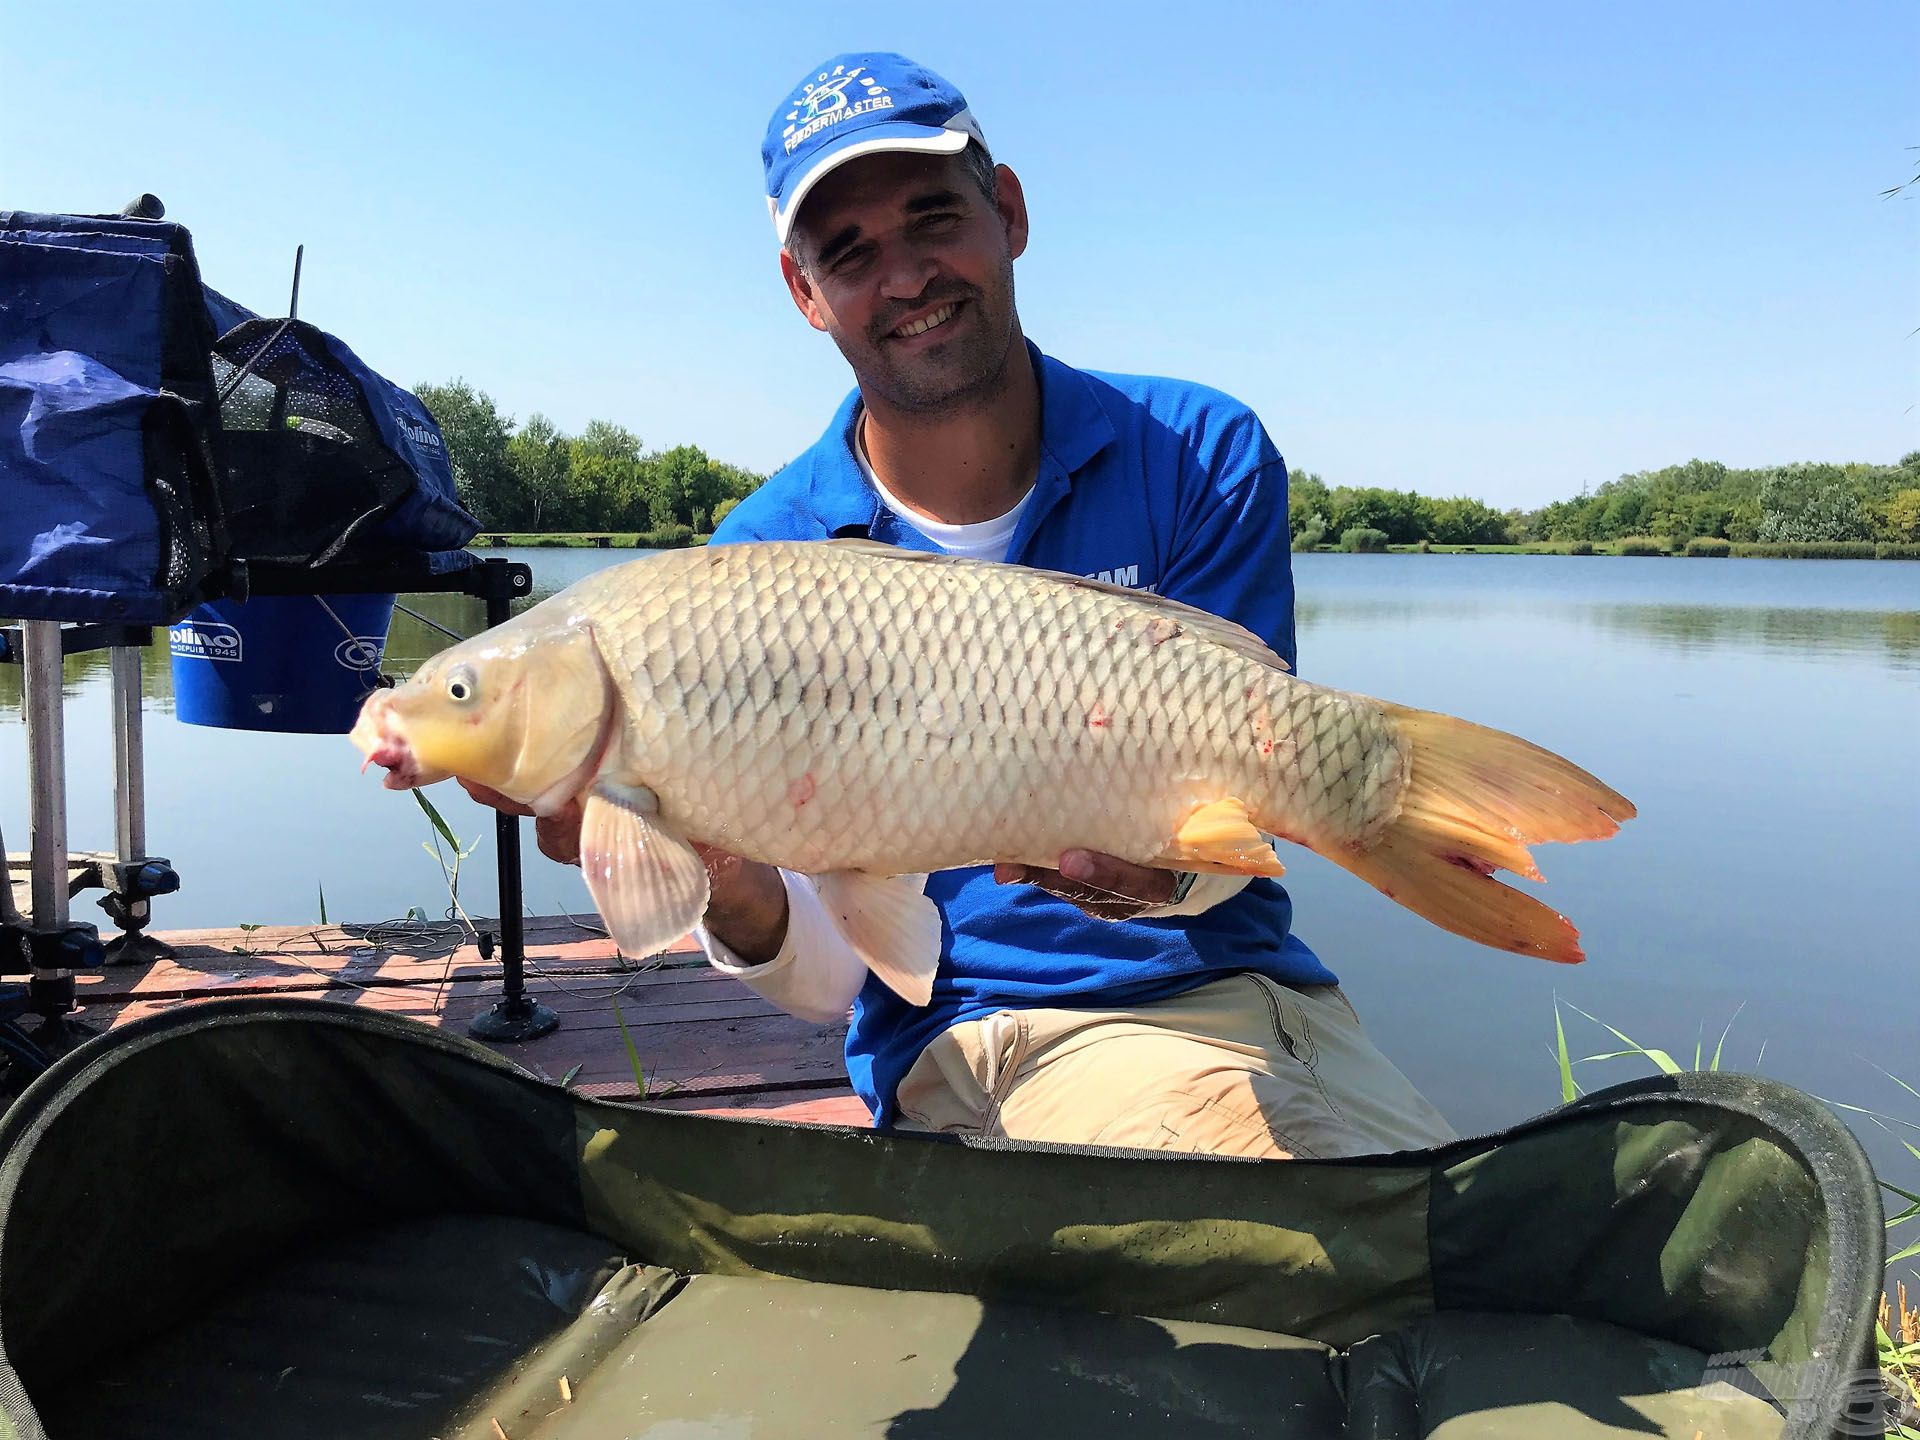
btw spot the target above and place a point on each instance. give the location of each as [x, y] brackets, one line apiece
[1476, 802]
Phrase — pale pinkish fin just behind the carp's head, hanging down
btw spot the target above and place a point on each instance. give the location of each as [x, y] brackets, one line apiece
[646, 880]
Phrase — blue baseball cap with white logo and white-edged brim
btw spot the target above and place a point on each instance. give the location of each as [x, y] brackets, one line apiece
[857, 107]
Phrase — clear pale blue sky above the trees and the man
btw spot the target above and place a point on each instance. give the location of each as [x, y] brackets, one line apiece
[1499, 249]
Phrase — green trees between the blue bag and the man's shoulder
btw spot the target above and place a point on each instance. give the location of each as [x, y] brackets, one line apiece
[533, 477]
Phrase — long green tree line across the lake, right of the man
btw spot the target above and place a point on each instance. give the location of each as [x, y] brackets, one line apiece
[1783, 504]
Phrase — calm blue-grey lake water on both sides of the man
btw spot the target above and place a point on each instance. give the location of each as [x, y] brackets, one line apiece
[1764, 715]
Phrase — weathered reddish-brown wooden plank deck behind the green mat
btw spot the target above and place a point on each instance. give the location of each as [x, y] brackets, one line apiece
[706, 1042]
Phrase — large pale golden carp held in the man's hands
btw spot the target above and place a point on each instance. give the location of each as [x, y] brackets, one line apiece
[867, 715]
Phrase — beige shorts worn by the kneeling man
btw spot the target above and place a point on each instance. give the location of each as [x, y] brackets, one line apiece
[1239, 1067]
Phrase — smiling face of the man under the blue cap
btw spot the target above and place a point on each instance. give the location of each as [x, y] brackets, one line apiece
[911, 270]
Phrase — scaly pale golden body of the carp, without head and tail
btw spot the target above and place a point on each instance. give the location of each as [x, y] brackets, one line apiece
[819, 708]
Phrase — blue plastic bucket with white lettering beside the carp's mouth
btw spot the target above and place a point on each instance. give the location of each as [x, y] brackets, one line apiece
[287, 663]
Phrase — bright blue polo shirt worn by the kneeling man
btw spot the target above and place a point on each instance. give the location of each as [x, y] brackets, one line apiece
[1147, 483]
